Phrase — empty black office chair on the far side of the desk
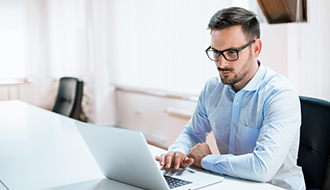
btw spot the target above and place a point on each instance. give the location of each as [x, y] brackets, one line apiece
[69, 97]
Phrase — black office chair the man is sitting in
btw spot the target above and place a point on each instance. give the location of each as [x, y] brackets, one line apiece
[314, 149]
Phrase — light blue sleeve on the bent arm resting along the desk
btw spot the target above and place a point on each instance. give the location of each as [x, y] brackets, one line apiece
[281, 124]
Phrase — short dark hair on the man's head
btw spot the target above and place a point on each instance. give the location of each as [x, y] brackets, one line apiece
[236, 16]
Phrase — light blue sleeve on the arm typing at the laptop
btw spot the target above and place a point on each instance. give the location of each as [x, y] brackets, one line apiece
[196, 130]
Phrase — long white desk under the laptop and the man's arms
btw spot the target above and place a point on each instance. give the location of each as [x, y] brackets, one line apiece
[43, 150]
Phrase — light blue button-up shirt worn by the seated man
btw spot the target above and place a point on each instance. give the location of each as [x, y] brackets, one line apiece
[257, 129]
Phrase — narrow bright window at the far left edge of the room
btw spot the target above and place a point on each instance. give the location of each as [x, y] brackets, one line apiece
[12, 45]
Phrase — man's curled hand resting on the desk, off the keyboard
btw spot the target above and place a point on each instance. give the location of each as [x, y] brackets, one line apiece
[198, 152]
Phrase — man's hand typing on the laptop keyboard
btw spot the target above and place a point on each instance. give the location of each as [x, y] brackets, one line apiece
[174, 158]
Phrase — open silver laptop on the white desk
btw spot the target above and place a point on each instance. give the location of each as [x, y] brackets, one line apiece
[124, 156]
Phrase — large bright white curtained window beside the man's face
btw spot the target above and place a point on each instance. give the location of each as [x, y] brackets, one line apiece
[160, 44]
